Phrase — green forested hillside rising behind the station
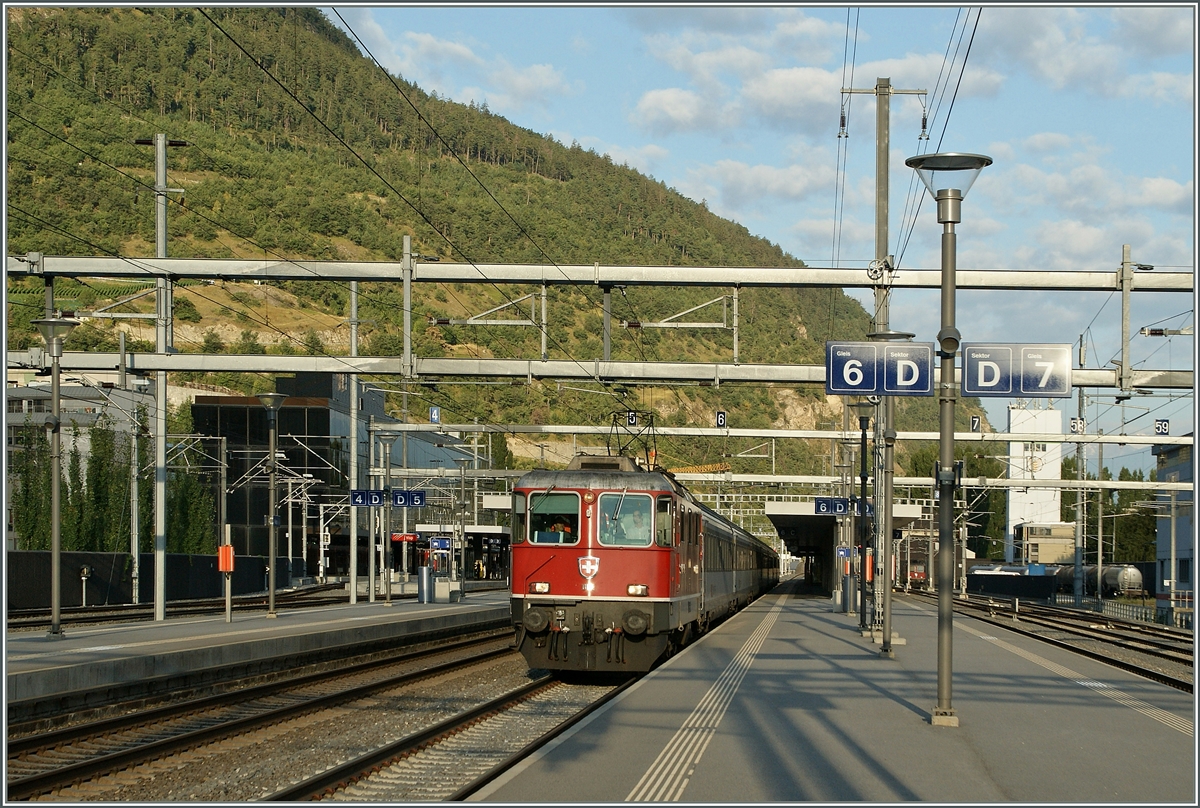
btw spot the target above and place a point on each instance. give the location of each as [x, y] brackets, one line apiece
[302, 148]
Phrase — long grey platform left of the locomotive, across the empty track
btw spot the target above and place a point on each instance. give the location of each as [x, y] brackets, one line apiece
[135, 656]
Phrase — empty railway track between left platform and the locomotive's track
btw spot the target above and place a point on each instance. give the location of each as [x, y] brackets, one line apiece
[49, 763]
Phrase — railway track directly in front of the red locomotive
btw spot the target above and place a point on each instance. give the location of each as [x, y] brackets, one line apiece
[455, 758]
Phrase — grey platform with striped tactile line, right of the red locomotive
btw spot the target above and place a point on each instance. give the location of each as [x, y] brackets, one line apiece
[787, 702]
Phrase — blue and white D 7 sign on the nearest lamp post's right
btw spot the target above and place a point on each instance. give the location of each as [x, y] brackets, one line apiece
[1017, 372]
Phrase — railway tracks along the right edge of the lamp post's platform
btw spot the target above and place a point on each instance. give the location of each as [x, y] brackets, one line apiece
[1160, 654]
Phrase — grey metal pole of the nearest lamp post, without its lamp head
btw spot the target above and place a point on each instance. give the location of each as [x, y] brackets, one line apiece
[949, 213]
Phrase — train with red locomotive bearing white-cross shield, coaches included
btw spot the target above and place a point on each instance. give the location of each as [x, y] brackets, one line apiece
[615, 566]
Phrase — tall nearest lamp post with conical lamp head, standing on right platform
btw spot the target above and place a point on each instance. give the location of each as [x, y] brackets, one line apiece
[949, 177]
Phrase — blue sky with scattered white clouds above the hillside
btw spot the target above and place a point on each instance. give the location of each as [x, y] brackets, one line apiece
[1088, 112]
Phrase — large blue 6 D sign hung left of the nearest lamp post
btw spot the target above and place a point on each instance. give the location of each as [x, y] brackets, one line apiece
[879, 369]
